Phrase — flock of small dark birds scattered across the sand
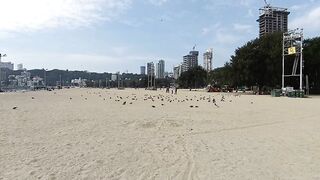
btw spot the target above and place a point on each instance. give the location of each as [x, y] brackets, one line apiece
[214, 99]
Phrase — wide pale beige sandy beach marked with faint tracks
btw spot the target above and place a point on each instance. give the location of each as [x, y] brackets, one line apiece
[83, 134]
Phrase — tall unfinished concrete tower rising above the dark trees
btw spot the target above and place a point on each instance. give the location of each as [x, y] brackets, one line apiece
[272, 19]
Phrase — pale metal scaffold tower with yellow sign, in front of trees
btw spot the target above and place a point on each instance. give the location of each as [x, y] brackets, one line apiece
[293, 46]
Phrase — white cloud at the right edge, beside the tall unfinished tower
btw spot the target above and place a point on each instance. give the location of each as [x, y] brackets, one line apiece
[309, 21]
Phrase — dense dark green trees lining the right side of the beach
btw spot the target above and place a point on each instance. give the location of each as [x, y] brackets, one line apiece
[258, 63]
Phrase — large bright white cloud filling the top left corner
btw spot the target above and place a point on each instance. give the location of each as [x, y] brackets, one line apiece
[30, 15]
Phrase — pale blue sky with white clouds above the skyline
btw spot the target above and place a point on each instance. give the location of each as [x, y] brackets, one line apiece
[122, 35]
